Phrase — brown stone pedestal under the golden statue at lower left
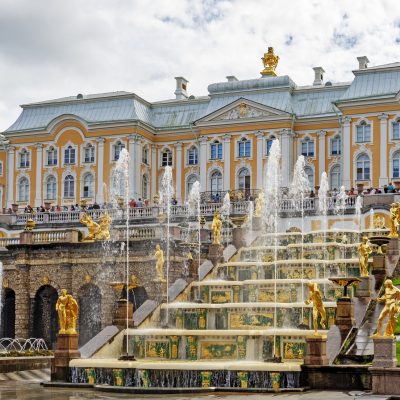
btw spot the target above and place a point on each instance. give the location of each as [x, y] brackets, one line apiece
[66, 350]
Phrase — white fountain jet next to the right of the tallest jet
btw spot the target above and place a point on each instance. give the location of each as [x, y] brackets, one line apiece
[299, 187]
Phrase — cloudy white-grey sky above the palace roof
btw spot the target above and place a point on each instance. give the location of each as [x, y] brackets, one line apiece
[57, 48]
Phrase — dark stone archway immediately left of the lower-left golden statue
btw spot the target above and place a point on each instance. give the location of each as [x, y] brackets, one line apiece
[45, 319]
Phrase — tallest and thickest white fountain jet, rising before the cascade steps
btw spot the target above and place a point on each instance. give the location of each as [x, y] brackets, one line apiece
[272, 199]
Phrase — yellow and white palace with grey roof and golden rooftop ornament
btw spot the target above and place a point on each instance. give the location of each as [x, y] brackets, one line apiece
[63, 151]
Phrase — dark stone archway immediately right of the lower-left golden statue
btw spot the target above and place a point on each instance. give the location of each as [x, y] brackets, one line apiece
[89, 301]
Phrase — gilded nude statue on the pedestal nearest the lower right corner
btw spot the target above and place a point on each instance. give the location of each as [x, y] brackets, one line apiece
[391, 308]
